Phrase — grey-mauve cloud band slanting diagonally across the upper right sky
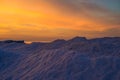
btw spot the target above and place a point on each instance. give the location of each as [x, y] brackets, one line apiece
[86, 9]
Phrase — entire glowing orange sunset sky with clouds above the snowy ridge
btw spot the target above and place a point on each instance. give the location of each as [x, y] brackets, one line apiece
[47, 20]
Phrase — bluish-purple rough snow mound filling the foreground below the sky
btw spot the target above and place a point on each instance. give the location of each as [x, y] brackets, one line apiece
[75, 59]
